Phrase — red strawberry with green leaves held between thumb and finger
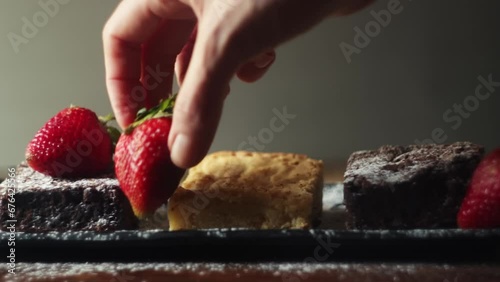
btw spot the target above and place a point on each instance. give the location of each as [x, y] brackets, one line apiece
[142, 160]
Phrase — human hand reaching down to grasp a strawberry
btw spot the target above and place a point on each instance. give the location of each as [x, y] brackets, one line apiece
[148, 39]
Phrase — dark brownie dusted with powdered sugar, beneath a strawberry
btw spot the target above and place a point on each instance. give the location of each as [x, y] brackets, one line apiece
[43, 203]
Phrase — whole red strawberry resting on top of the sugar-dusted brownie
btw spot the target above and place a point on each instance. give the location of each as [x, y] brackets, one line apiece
[73, 143]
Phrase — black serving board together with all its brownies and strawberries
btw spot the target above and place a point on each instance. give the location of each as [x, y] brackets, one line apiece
[397, 203]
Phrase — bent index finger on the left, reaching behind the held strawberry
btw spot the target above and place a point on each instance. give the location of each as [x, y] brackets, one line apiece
[122, 54]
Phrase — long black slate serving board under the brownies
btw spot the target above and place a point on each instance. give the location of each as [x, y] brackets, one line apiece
[330, 242]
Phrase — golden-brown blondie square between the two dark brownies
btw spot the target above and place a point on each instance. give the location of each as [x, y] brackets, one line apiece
[249, 190]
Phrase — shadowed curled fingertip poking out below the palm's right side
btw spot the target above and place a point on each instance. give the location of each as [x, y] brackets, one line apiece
[257, 67]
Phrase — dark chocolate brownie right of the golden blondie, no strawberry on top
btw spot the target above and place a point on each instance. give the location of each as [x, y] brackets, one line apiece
[406, 187]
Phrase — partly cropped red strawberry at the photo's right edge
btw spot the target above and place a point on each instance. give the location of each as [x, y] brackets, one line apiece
[481, 206]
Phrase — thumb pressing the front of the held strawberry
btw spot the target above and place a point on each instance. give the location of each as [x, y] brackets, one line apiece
[200, 101]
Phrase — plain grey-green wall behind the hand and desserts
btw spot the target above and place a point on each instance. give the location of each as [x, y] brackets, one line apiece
[394, 91]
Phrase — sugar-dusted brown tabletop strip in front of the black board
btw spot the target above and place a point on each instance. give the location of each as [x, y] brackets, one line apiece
[252, 272]
